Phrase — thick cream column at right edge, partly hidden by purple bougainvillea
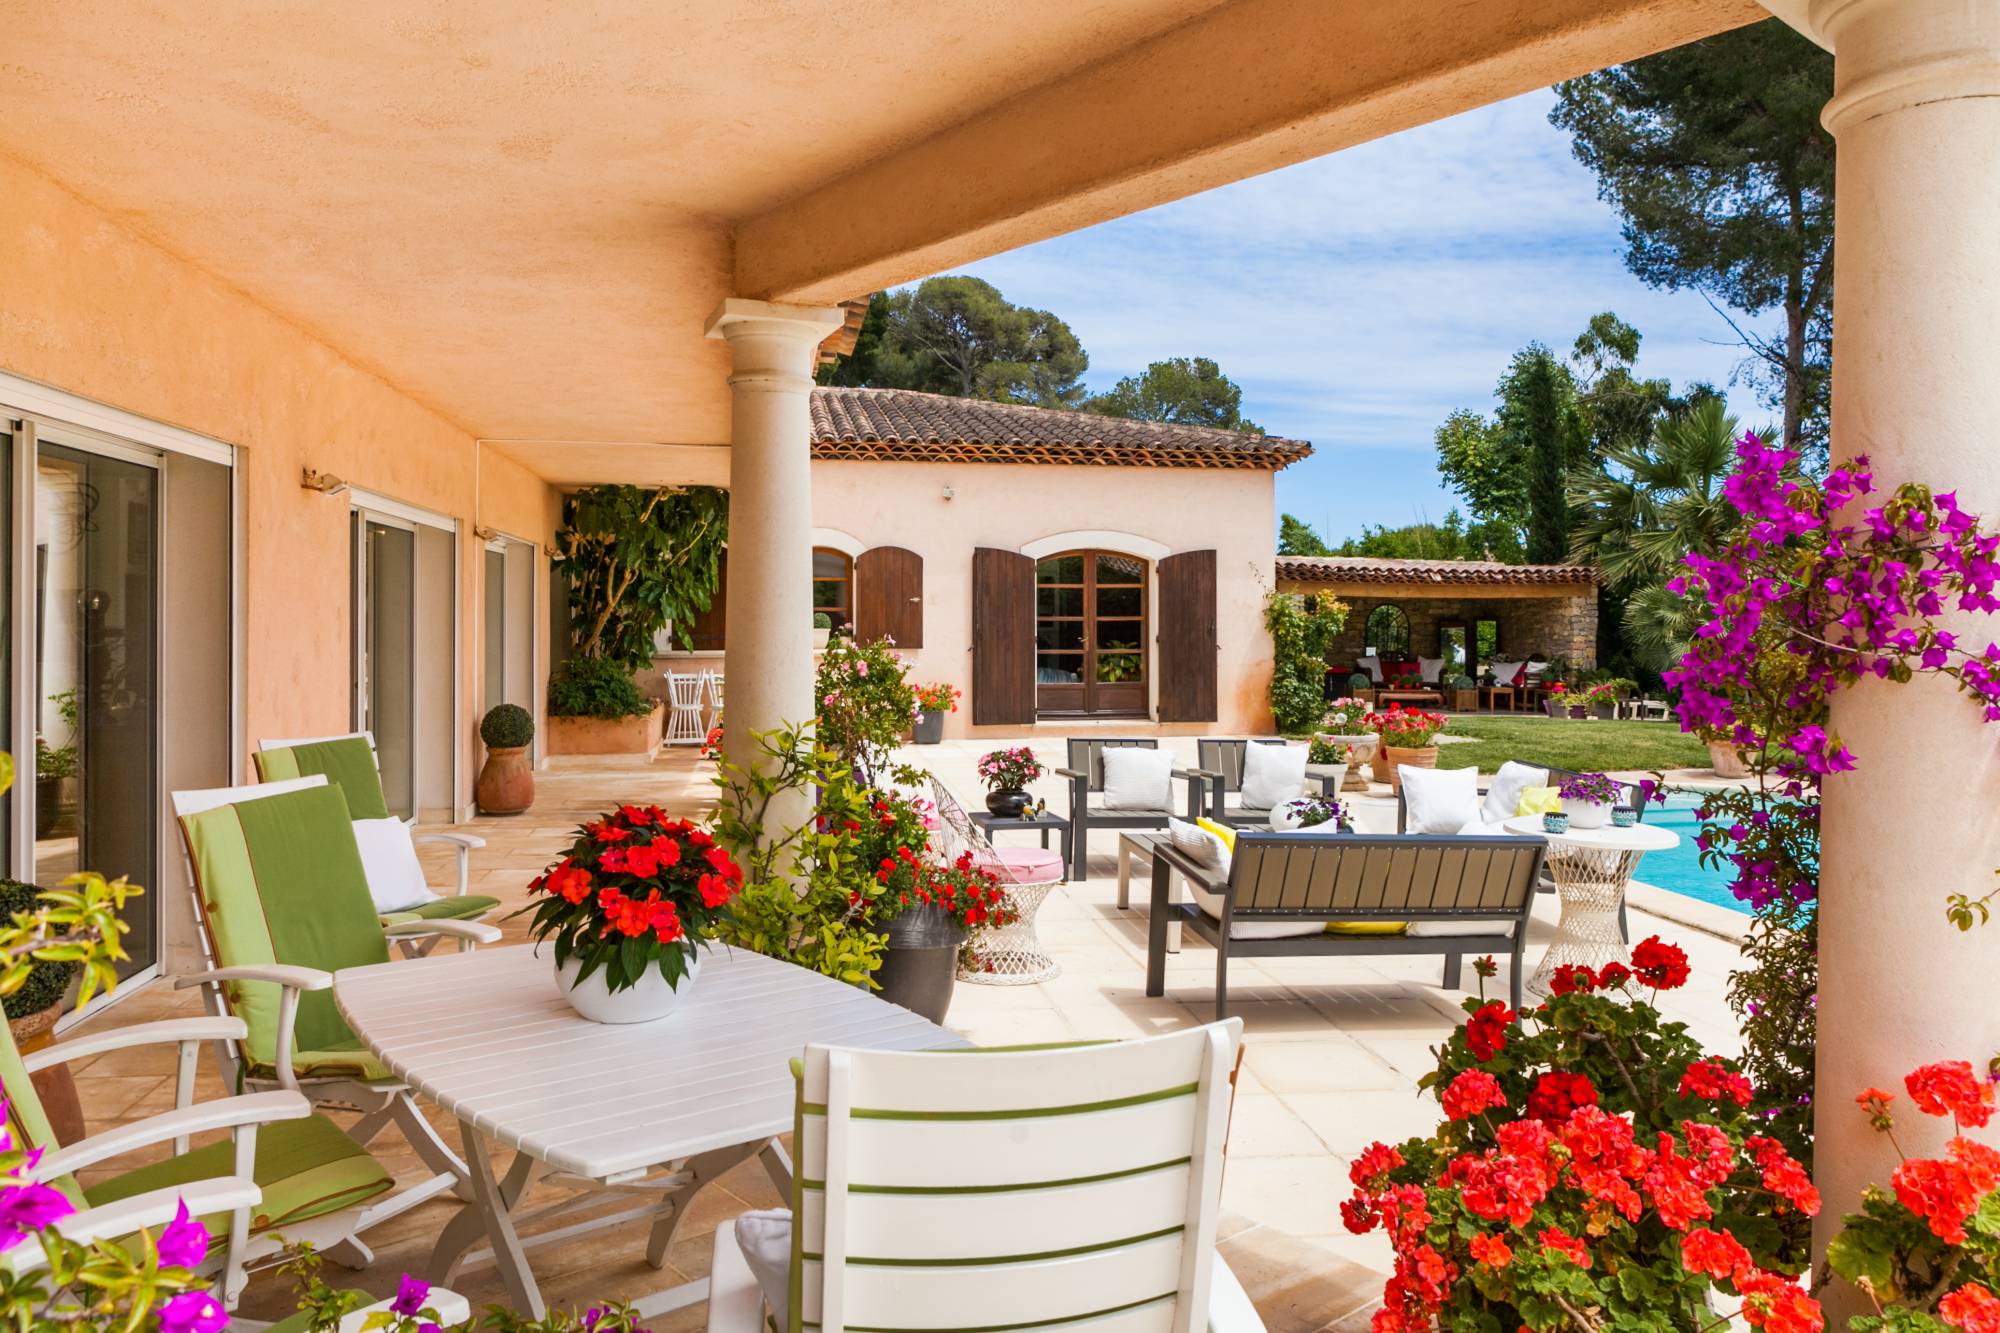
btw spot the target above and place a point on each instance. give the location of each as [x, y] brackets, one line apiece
[1917, 387]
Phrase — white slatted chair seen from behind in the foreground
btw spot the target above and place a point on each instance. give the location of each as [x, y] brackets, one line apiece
[1045, 1190]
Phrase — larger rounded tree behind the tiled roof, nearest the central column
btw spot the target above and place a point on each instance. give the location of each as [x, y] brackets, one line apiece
[963, 337]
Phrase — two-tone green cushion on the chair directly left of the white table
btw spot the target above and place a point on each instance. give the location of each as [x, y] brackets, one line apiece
[281, 882]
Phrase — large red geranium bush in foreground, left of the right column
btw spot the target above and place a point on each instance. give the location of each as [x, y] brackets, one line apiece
[1595, 1172]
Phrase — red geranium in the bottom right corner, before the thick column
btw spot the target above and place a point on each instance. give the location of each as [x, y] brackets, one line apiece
[1927, 1250]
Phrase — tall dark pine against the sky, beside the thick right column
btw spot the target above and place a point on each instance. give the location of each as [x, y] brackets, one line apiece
[1725, 177]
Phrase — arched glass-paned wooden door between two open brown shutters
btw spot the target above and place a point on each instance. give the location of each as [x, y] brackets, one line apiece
[1091, 633]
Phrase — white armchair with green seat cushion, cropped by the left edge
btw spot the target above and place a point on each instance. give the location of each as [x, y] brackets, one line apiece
[283, 1168]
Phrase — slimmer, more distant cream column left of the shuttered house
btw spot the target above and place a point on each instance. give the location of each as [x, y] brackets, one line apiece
[769, 651]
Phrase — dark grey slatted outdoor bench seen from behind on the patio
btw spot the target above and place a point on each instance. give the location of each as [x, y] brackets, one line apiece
[1457, 894]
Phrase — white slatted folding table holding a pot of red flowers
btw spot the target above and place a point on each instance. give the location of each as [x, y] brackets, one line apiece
[605, 1108]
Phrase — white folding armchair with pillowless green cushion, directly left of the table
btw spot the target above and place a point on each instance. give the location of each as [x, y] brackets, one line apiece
[283, 902]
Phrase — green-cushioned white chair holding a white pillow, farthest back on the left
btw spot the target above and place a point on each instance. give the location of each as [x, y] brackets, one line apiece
[389, 844]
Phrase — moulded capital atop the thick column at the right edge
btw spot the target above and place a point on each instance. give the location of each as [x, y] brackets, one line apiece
[1895, 55]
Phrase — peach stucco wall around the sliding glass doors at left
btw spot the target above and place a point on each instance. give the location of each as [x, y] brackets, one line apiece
[97, 311]
